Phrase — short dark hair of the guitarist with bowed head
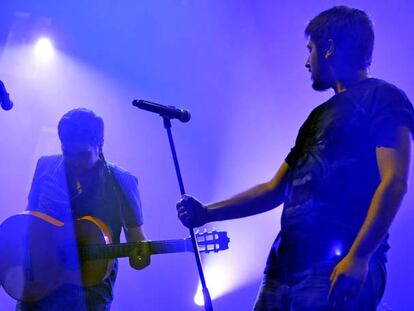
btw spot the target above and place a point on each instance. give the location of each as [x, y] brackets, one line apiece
[81, 125]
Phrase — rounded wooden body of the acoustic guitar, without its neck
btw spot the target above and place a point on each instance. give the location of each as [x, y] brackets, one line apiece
[39, 254]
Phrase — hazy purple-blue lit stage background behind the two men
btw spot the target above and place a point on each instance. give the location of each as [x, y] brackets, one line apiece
[238, 66]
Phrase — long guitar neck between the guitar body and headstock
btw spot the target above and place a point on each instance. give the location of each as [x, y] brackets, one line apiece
[93, 252]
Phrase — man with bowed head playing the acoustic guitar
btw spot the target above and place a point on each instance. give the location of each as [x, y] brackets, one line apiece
[80, 183]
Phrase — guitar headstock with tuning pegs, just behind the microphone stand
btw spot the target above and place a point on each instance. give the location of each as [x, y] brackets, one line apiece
[213, 241]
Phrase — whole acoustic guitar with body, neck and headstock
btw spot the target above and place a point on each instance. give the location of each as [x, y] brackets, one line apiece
[40, 253]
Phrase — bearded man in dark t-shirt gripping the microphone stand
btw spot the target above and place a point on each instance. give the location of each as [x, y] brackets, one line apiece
[341, 184]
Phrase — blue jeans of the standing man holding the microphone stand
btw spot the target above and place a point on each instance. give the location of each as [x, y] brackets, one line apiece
[307, 290]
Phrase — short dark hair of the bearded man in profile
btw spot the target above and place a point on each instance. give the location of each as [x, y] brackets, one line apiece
[351, 31]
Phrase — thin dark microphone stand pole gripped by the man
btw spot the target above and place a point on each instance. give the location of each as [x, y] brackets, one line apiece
[207, 299]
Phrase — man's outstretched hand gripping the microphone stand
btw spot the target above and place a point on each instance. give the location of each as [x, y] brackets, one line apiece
[191, 212]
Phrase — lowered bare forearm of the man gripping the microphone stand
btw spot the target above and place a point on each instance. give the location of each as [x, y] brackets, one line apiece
[384, 206]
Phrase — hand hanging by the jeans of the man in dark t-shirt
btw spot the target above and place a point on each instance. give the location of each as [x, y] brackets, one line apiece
[347, 280]
